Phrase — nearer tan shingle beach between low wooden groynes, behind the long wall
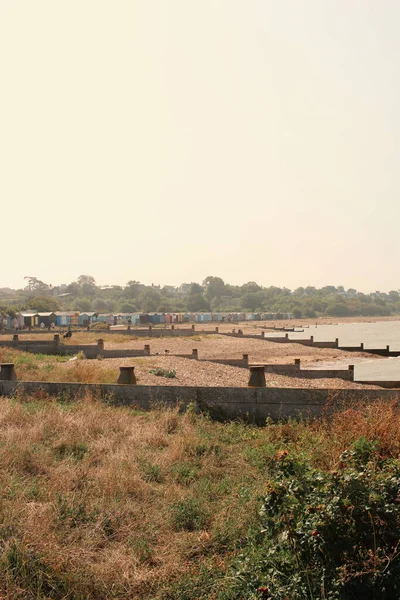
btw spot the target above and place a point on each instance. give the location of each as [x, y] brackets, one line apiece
[199, 373]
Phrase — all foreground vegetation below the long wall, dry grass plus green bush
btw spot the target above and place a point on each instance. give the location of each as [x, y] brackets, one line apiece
[103, 502]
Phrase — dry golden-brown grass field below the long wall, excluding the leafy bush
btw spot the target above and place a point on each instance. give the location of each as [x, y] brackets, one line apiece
[100, 502]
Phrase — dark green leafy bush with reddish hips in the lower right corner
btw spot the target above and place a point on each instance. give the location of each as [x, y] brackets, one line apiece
[328, 535]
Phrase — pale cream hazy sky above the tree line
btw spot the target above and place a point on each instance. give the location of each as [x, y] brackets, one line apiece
[169, 140]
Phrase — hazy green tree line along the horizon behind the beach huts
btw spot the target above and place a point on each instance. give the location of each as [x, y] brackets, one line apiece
[213, 294]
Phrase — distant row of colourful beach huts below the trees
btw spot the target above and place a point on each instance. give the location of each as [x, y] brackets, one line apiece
[28, 319]
